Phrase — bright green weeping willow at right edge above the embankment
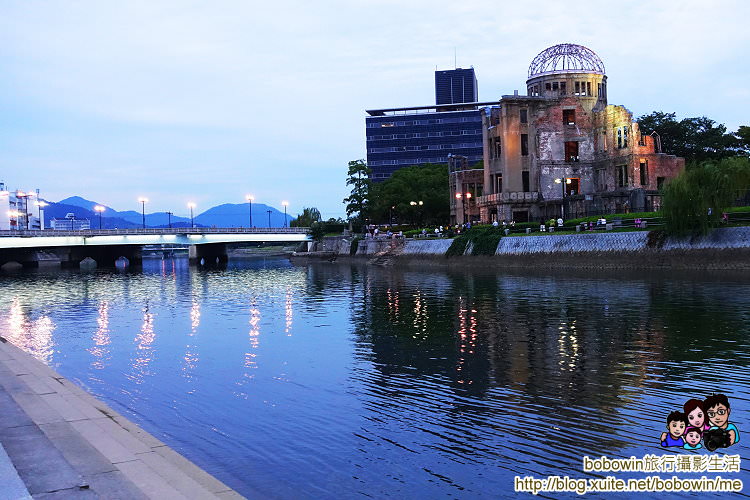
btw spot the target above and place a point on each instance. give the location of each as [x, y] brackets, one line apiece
[693, 202]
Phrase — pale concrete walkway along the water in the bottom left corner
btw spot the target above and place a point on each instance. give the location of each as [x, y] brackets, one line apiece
[64, 443]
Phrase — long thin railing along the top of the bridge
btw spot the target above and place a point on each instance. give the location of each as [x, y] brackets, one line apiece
[154, 231]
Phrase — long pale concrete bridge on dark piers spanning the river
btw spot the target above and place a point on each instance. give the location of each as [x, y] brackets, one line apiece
[105, 246]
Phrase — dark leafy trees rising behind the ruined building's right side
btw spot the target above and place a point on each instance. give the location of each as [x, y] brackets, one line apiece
[695, 139]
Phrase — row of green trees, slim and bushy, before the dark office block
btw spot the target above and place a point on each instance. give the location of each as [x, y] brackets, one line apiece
[412, 195]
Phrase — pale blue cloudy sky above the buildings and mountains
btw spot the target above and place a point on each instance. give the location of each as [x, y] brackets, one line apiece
[208, 101]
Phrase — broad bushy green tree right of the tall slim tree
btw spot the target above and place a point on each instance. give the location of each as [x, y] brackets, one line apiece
[426, 183]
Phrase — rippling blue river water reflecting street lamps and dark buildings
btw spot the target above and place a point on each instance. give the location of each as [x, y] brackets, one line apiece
[341, 381]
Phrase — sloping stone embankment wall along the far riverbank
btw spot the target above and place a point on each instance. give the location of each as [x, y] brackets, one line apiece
[726, 248]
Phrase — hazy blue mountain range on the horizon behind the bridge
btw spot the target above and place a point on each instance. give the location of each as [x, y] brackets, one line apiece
[226, 215]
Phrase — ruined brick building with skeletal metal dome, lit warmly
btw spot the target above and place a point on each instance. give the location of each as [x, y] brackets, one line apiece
[561, 149]
